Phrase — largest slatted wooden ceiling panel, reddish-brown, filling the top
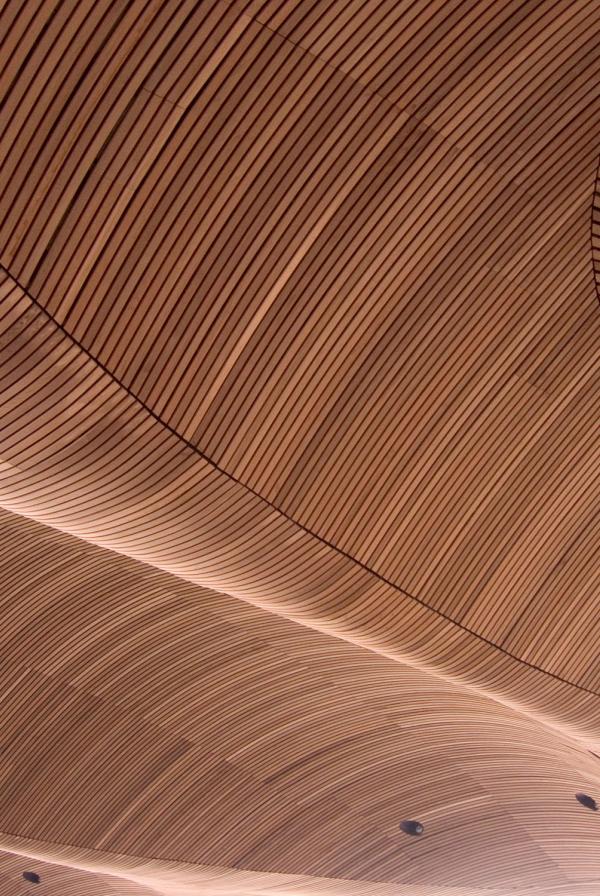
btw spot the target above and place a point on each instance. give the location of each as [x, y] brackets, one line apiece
[343, 250]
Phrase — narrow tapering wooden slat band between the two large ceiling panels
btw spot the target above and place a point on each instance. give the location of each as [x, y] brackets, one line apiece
[81, 454]
